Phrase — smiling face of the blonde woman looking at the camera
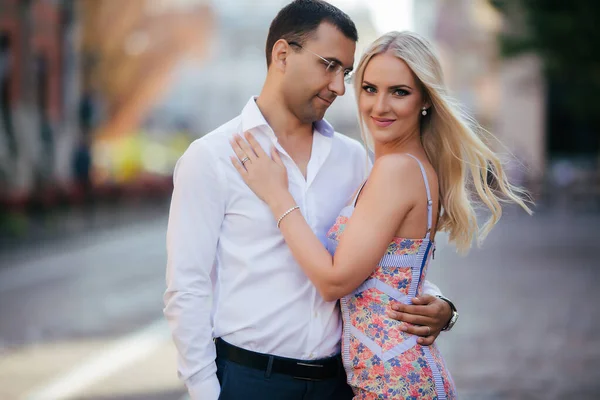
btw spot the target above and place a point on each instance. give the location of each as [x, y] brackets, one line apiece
[390, 100]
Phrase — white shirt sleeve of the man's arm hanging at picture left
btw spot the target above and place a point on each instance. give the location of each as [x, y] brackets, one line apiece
[195, 217]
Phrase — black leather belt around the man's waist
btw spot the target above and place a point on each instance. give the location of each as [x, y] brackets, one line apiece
[312, 370]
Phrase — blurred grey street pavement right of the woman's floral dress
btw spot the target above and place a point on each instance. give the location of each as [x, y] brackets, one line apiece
[528, 304]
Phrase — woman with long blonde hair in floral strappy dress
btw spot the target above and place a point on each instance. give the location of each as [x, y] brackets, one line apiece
[429, 165]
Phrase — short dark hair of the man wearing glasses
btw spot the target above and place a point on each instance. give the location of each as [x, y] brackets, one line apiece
[300, 19]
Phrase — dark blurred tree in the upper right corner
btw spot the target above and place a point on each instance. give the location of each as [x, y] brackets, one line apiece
[566, 37]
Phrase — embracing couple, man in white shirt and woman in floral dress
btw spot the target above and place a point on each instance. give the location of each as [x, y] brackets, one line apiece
[296, 264]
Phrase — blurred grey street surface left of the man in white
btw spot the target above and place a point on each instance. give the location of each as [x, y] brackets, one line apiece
[82, 318]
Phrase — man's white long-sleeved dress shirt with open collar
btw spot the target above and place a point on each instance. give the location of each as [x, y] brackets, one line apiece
[230, 273]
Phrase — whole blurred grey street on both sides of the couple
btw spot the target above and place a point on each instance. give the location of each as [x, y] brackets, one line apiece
[82, 319]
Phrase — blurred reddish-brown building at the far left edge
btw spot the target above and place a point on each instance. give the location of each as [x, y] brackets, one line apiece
[38, 85]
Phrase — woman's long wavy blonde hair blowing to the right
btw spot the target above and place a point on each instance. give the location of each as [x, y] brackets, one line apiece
[466, 166]
